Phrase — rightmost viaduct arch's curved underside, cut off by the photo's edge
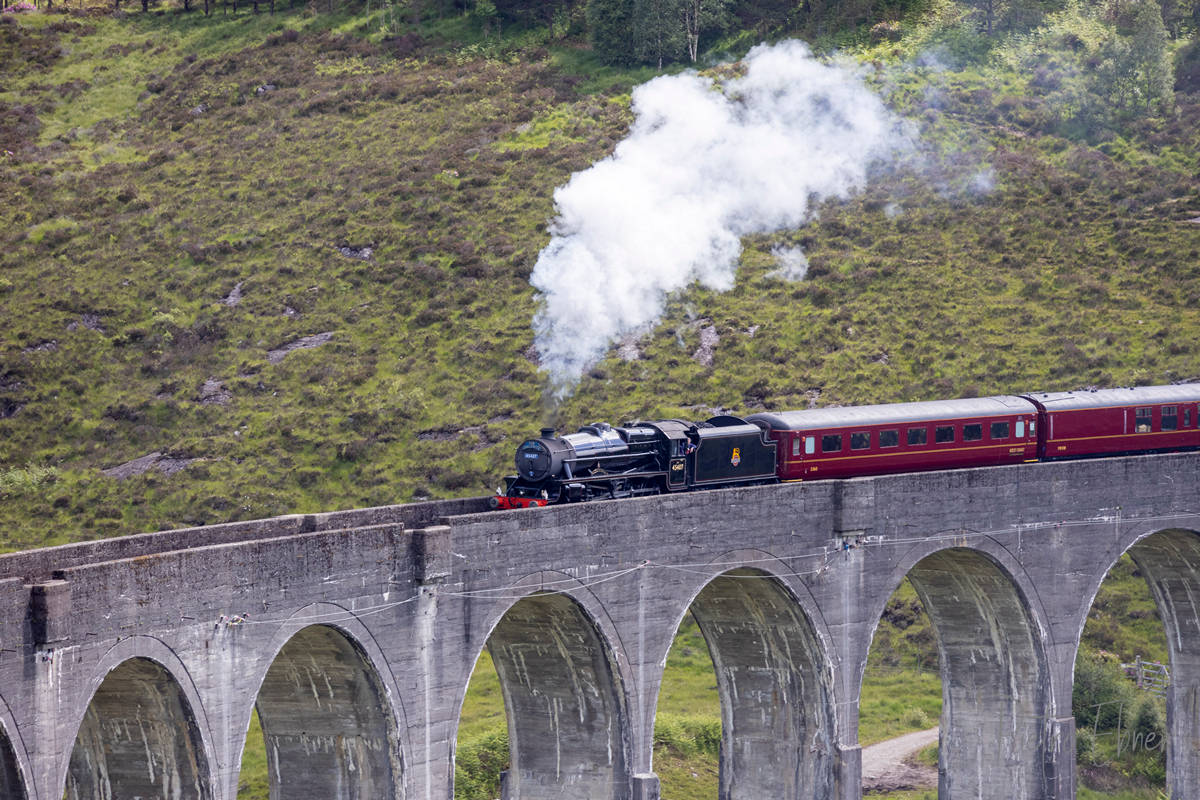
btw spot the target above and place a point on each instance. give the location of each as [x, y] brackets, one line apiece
[1171, 562]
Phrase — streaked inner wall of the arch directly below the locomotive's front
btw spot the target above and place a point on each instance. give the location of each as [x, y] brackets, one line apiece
[567, 714]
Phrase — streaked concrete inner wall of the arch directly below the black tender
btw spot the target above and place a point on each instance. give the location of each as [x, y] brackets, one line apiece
[776, 687]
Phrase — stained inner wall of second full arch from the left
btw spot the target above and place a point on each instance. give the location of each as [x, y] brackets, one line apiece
[327, 715]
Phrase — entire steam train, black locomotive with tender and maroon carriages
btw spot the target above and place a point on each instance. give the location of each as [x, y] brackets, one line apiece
[603, 462]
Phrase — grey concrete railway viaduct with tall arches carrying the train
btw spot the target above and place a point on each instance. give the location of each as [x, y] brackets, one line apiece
[130, 667]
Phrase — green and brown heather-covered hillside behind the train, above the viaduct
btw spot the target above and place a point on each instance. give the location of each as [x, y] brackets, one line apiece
[292, 258]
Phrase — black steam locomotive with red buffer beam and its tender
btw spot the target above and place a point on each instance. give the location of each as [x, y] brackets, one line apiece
[603, 462]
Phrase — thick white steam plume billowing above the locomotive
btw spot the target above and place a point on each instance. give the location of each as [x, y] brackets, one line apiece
[704, 166]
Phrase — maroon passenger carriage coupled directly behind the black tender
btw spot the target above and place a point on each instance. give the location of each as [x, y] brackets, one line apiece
[903, 437]
